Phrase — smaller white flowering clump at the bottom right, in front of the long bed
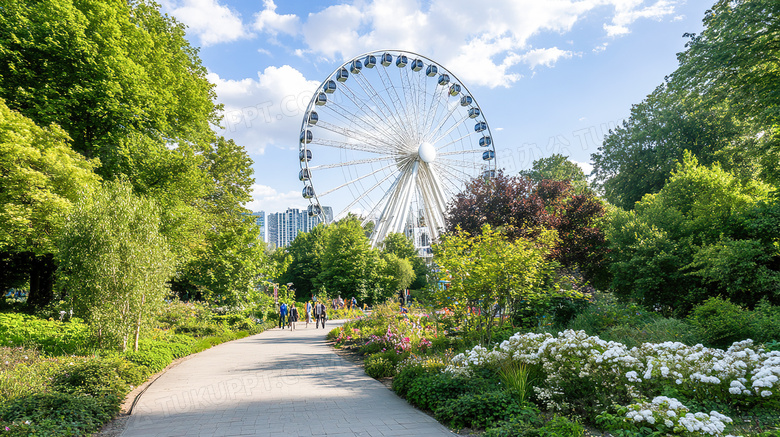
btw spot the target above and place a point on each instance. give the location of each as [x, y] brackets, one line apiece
[669, 416]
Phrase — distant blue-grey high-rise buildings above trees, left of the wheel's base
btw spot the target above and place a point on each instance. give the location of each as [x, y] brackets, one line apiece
[283, 227]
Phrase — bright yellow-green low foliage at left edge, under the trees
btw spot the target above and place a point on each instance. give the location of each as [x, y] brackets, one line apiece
[51, 337]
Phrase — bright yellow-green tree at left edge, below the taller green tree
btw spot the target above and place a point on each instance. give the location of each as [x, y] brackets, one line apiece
[42, 178]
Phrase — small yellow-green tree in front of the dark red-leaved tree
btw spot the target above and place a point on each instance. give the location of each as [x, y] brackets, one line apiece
[490, 272]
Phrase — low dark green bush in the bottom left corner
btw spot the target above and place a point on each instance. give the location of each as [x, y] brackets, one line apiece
[57, 414]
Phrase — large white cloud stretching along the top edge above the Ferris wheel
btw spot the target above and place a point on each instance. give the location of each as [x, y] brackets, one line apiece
[481, 48]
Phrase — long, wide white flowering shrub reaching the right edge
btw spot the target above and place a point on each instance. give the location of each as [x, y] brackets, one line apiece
[587, 373]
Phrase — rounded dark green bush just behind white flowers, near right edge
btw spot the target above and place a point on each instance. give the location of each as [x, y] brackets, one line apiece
[719, 323]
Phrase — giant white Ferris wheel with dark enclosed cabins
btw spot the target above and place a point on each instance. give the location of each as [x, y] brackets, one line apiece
[393, 136]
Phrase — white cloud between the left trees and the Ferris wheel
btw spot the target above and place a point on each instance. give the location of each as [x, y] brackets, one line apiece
[264, 111]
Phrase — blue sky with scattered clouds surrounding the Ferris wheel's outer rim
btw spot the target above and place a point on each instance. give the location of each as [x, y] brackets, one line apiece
[551, 76]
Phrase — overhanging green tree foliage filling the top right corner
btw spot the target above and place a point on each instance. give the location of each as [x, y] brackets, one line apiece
[735, 60]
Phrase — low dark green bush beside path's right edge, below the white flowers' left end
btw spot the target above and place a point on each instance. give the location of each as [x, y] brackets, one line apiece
[478, 410]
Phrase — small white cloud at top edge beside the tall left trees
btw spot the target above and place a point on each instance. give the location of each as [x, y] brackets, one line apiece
[212, 22]
